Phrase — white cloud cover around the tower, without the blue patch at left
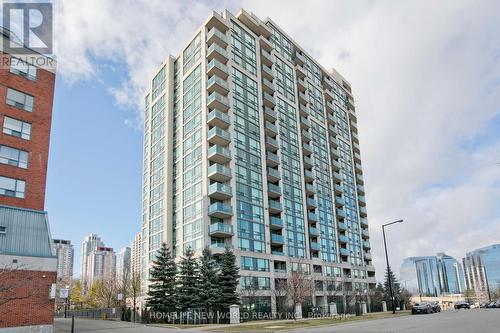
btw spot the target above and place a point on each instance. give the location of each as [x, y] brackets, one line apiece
[425, 78]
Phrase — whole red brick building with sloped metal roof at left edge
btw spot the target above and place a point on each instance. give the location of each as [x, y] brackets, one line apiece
[28, 266]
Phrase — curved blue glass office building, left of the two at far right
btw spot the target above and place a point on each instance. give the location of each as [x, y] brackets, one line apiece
[432, 275]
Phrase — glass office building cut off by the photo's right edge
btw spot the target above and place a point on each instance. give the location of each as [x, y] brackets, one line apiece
[482, 270]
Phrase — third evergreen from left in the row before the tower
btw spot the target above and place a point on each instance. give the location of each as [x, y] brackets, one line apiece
[209, 293]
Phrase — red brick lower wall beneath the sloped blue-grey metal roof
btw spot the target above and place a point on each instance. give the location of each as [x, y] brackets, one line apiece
[31, 304]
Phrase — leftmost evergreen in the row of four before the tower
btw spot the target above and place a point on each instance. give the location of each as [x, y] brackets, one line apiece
[161, 293]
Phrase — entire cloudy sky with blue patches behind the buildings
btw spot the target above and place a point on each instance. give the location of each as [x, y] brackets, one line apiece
[426, 79]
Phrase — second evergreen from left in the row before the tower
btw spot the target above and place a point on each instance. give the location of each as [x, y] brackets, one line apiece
[188, 282]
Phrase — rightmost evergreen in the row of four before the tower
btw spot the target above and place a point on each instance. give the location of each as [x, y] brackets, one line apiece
[228, 280]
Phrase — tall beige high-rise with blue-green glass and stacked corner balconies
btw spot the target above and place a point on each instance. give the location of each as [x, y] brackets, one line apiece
[250, 143]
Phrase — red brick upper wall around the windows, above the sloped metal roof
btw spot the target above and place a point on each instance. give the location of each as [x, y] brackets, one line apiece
[38, 147]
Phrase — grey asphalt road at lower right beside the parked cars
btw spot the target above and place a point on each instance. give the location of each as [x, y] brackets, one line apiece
[452, 321]
